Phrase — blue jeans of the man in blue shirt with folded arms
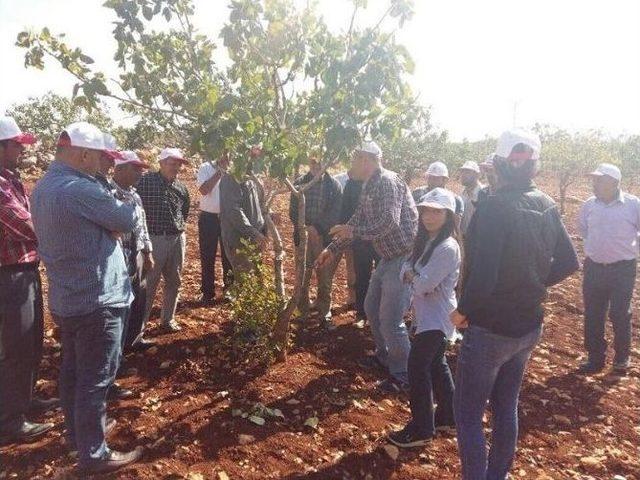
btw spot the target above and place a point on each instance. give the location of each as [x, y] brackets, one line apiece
[91, 347]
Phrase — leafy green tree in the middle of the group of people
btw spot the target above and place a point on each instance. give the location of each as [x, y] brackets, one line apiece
[293, 86]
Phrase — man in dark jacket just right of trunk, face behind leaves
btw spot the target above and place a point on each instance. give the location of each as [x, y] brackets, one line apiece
[322, 211]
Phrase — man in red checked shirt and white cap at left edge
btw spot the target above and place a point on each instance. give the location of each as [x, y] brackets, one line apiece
[21, 311]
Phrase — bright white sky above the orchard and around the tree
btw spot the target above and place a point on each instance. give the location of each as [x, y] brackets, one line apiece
[482, 66]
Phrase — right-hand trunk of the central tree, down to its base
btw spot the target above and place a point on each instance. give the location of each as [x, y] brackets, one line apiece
[281, 329]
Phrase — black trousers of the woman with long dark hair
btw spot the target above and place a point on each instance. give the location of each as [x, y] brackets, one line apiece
[429, 379]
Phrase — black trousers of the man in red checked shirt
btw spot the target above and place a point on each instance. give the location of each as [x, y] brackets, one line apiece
[21, 340]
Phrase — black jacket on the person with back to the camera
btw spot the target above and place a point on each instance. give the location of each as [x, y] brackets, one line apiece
[516, 247]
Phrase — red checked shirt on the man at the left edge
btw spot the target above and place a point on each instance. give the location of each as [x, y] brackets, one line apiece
[17, 238]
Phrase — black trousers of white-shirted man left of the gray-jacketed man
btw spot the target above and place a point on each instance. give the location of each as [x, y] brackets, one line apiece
[209, 236]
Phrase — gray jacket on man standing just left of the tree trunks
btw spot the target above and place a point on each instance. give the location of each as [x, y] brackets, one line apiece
[240, 213]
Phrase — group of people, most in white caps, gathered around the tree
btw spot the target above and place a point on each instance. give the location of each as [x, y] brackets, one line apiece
[107, 231]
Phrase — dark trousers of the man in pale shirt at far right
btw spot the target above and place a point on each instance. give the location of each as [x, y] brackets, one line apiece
[608, 288]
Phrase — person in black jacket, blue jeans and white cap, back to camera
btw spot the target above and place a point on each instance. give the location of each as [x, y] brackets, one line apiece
[516, 247]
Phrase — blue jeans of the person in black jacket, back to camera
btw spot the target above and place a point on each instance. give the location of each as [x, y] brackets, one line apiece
[490, 367]
